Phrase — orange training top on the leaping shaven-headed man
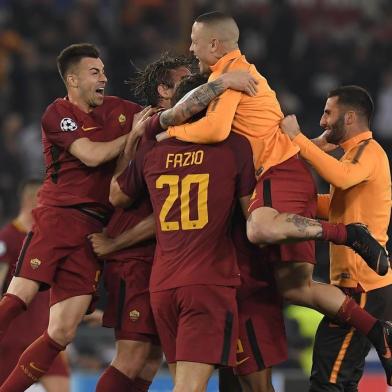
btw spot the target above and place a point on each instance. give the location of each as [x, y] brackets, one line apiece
[256, 117]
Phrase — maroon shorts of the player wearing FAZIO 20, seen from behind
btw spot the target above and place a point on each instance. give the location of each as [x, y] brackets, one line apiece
[197, 323]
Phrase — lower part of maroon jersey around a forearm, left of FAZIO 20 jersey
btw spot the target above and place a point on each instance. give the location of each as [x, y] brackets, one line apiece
[123, 220]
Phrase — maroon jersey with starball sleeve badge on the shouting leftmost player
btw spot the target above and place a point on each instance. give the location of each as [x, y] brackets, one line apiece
[68, 181]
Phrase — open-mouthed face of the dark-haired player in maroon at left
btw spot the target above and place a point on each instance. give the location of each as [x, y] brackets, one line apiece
[87, 81]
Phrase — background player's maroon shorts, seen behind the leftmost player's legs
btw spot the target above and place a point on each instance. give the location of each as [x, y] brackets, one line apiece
[19, 337]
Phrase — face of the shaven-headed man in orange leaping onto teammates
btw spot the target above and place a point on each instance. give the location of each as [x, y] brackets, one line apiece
[202, 46]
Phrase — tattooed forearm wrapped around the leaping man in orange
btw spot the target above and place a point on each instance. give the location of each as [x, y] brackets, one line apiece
[195, 103]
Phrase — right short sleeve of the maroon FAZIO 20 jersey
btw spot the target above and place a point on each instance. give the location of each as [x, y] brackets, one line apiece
[243, 154]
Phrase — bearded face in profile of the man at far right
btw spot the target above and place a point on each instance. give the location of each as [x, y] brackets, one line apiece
[333, 121]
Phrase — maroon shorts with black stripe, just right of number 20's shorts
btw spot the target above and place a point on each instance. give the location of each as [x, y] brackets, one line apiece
[262, 337]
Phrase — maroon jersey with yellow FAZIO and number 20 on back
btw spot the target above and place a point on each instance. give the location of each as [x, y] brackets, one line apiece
[193, 189]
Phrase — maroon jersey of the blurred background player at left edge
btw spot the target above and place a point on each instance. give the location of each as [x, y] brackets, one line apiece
[11, 240]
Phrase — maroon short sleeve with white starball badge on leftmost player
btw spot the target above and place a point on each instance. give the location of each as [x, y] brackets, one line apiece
[61, 127]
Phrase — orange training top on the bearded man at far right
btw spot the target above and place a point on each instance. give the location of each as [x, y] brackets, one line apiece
[360, 192]
